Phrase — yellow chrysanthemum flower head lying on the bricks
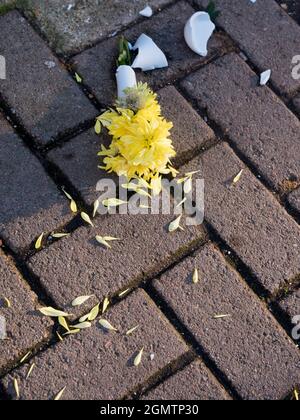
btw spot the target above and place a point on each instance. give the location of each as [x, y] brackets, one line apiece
[141, 146]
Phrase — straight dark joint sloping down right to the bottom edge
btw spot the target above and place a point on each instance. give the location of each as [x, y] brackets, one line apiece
[191, 340]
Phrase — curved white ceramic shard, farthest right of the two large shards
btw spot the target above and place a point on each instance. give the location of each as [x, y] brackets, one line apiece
[197, 32]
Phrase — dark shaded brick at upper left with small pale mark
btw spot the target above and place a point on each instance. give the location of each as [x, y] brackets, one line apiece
[38, 89]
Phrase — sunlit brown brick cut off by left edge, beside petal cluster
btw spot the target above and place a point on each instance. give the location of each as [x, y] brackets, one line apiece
[25, 330]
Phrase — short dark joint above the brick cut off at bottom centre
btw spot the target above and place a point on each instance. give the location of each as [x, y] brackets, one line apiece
[162, 375]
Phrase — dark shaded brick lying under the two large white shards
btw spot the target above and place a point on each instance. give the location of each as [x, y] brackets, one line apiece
[98, 64]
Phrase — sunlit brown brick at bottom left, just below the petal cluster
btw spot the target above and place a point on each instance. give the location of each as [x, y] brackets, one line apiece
[95, 365]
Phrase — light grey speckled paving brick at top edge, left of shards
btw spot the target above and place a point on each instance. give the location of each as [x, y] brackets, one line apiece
[87, 21]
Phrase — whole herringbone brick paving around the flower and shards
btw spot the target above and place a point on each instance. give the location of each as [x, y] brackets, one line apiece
[217, 339]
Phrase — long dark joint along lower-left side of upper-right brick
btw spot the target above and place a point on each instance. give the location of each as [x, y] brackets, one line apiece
[219, 133]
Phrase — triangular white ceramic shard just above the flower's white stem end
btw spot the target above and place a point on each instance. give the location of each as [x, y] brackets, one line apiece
[149, 57]
